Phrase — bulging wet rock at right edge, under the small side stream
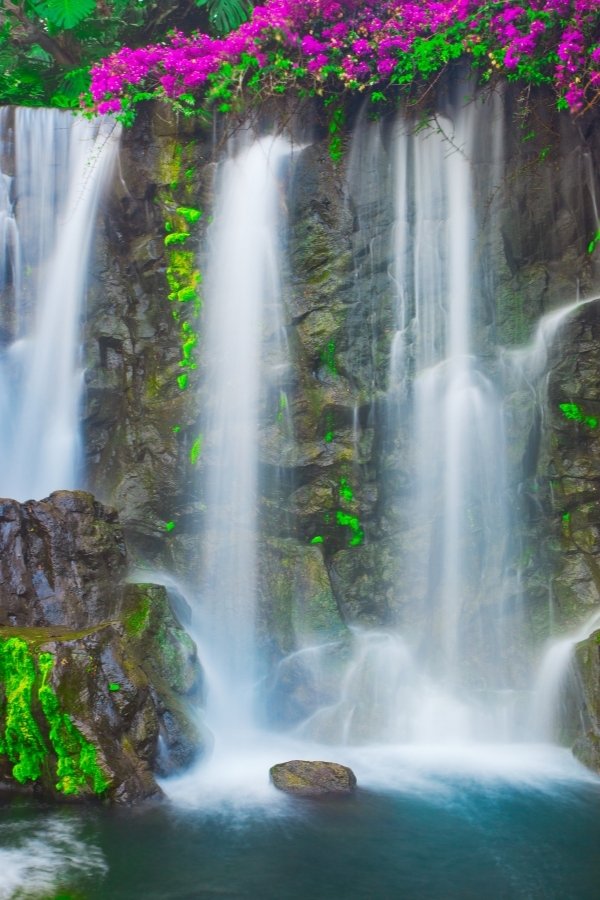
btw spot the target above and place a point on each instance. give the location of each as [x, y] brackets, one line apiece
[562, 487]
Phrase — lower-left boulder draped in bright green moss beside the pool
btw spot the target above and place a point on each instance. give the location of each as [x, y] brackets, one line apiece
[122, 693]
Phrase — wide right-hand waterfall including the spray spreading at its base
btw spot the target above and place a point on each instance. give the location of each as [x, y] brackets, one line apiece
[444, 671]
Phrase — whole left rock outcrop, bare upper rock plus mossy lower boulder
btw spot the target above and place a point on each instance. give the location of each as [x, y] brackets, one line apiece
[97, 678]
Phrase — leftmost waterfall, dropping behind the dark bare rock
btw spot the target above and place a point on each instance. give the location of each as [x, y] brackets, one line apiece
[56, 169]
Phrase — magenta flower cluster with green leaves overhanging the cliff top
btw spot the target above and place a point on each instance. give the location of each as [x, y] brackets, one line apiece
[370, 43]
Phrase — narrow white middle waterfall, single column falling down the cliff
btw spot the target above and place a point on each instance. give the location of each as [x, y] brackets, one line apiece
[242, 297]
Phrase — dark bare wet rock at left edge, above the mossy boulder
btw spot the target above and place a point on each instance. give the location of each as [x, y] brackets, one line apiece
[61, 561]
